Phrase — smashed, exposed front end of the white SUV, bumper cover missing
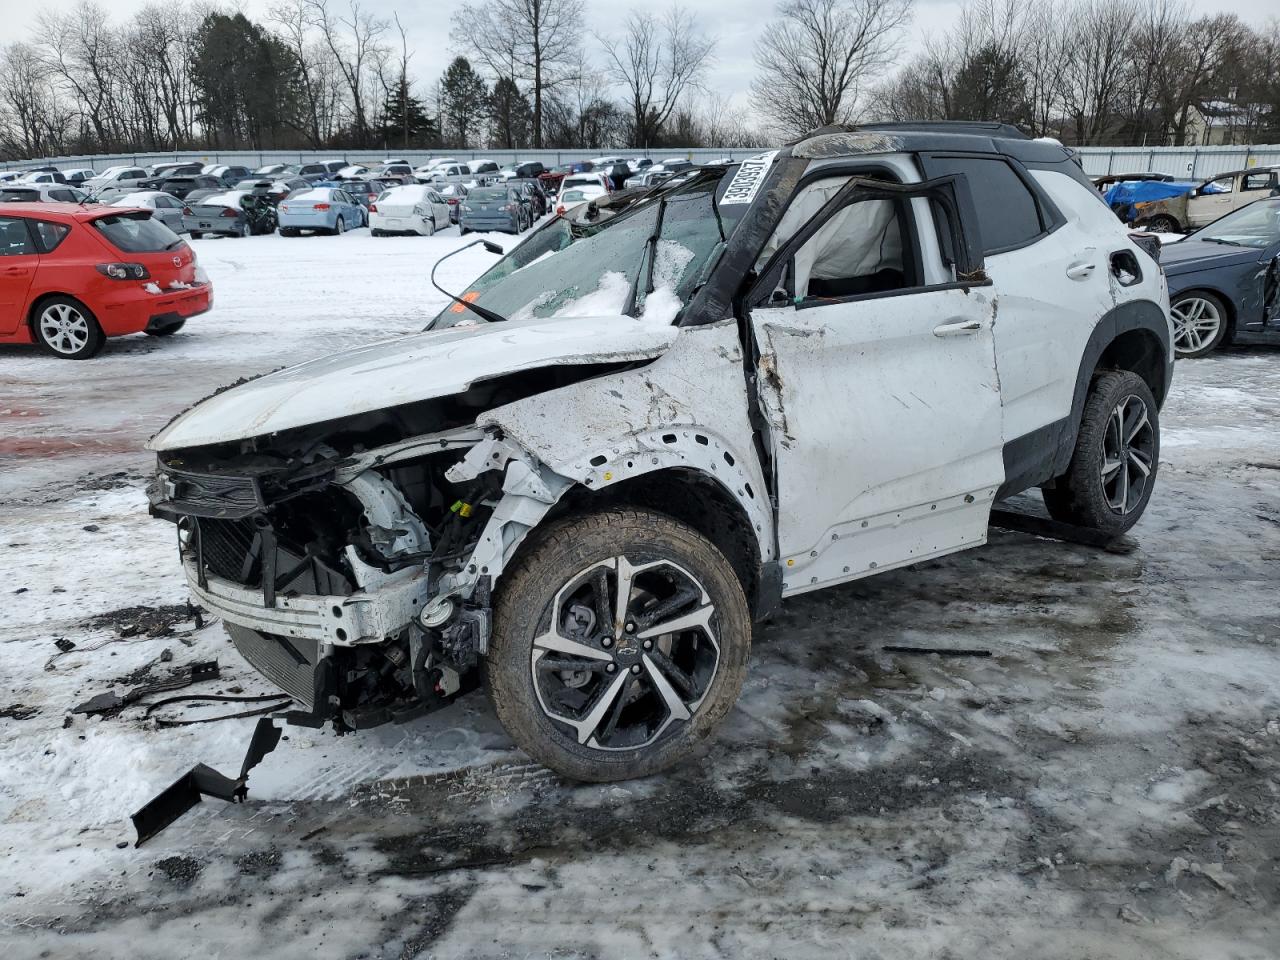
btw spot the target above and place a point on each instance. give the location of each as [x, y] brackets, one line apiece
[356, 578]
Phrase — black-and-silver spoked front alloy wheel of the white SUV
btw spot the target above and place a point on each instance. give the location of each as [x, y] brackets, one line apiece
[632, 650]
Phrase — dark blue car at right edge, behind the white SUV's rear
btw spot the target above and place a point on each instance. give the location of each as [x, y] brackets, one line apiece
[1224, 281]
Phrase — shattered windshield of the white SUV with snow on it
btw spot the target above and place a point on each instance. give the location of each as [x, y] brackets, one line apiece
[644, 263]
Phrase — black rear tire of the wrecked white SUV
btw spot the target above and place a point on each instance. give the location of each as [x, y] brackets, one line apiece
[1084, 496]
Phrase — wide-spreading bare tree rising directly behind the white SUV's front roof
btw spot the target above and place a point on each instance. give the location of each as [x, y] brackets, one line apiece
[816, 58]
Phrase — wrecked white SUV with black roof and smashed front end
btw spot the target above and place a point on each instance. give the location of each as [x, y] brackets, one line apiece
[630, 438]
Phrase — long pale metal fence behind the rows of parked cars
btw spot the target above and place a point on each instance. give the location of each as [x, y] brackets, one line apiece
[1190, 163]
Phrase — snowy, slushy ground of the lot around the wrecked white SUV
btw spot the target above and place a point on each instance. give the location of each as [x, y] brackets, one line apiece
[1105, 785]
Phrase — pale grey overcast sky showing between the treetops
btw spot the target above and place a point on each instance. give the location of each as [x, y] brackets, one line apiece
[735, 24]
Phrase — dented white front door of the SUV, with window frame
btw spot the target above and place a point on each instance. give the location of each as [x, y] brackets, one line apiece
[877, 381]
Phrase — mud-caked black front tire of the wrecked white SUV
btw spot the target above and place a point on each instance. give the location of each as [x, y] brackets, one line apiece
[568, 559]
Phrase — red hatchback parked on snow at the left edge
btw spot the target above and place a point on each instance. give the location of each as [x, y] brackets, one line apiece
[72, 276]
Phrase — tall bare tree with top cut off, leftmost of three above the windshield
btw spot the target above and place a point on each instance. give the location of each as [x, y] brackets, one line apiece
[537, 42]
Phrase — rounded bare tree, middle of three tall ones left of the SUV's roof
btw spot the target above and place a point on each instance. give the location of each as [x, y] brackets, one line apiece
[657, 61]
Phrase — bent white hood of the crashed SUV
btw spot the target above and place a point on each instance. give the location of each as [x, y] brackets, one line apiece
[417, 368]
